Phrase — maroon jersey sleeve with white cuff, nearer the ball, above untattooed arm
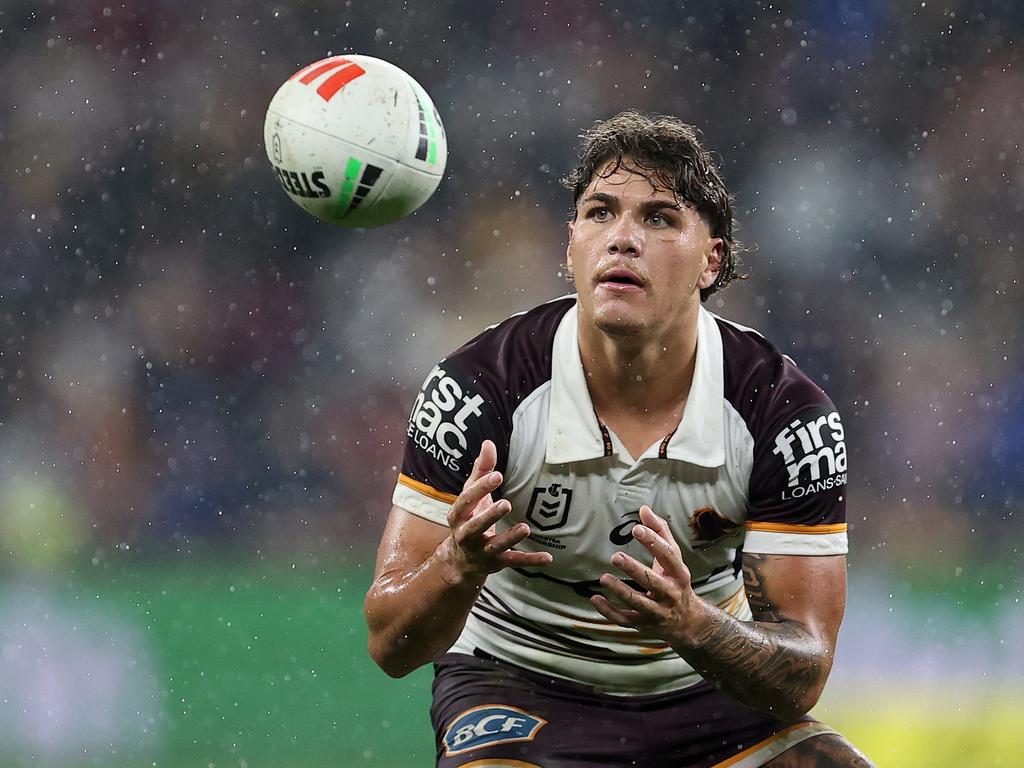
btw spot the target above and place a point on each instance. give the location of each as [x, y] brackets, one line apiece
[452, 416]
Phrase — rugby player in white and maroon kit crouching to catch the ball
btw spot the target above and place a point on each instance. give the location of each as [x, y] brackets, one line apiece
[619, 530]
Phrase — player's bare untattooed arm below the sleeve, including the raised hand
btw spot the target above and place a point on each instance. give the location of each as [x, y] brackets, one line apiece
[429, 576]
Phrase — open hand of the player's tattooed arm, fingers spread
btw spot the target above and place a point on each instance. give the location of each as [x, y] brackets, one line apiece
[666, 606]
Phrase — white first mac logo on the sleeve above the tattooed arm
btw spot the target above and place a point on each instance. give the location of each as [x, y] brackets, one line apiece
[815, 454]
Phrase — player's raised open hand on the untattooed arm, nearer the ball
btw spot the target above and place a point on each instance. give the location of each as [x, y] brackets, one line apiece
[475, 549]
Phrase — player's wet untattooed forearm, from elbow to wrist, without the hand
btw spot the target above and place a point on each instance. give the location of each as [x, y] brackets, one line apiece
[416, 616]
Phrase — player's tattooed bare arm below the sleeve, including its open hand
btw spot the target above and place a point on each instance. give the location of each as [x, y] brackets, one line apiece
[780, 662]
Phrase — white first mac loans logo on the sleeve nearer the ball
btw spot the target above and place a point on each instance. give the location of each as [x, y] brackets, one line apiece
[440, 423]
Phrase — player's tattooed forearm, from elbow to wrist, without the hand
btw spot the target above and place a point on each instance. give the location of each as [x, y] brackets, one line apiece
[779, 668]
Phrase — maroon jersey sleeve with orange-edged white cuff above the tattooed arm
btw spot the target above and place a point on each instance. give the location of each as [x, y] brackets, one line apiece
[798, 483]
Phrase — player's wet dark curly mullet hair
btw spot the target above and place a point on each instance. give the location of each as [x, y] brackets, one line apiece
[666, 152]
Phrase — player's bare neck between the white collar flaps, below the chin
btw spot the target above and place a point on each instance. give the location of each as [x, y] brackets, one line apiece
[647, 378]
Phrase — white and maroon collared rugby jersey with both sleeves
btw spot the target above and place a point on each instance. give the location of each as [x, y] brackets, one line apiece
[757, 464]
